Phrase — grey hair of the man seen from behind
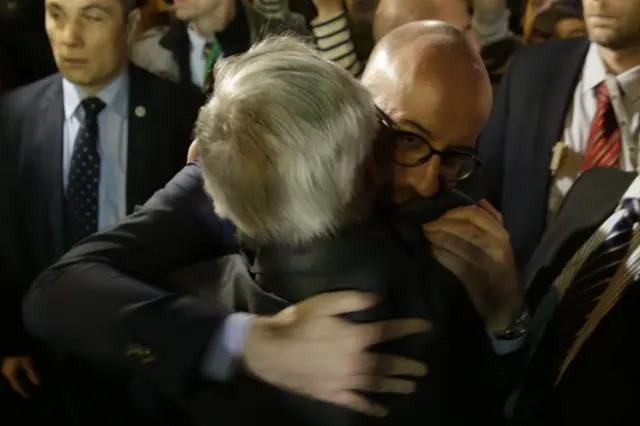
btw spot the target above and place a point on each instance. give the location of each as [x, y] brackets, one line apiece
[282, 142]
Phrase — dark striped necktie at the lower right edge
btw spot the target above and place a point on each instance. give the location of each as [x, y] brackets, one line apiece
[580, 299]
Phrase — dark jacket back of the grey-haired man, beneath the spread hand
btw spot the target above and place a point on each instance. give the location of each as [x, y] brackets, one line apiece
[370, 257]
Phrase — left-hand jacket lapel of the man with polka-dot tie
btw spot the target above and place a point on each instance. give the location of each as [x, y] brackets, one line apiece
[48, 136]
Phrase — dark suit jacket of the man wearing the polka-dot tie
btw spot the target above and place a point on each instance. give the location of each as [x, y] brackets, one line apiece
[31, 212]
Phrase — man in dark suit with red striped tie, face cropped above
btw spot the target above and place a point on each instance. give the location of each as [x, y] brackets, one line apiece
[564, 106]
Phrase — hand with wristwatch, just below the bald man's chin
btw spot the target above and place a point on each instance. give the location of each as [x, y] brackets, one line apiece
[472, 243]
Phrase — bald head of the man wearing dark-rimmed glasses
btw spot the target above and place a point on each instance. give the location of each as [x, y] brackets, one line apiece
[431, 81]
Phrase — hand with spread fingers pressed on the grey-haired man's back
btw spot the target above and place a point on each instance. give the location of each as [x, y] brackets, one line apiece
[309, 350]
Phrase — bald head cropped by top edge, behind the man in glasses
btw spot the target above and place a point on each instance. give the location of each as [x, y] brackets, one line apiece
[392, 14]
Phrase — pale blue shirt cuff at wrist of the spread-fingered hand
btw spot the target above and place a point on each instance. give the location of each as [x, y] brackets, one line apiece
[221, 357]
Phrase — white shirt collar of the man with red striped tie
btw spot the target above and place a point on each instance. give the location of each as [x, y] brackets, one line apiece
[594, 73]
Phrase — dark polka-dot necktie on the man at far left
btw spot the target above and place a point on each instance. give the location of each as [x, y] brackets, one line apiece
[84, 177]
